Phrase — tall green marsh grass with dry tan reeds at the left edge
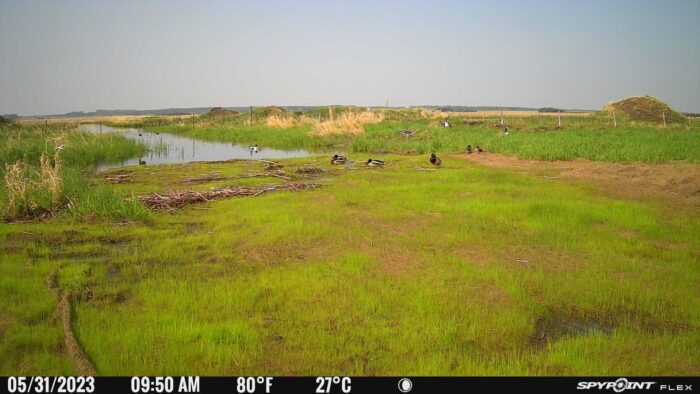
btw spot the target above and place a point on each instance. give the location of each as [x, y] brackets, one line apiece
[45, 170]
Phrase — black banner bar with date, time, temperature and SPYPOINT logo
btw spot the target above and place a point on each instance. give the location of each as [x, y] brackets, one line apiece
[344, 384]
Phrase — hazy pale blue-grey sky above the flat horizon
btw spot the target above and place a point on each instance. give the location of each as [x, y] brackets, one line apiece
[59, 56]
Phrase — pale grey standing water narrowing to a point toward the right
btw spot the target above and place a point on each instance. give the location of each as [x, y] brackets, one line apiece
[164, 148]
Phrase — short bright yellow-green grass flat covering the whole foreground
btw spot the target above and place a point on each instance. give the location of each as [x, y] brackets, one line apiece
[464, 270]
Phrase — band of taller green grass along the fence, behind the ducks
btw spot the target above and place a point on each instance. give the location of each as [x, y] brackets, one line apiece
[532, 137]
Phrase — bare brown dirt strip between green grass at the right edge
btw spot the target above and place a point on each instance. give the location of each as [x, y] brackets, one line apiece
[678, 183]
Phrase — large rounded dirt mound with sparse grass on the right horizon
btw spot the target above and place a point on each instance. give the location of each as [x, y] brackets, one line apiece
[645, 109]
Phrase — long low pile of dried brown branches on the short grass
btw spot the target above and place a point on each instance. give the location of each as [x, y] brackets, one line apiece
[178, 199]
